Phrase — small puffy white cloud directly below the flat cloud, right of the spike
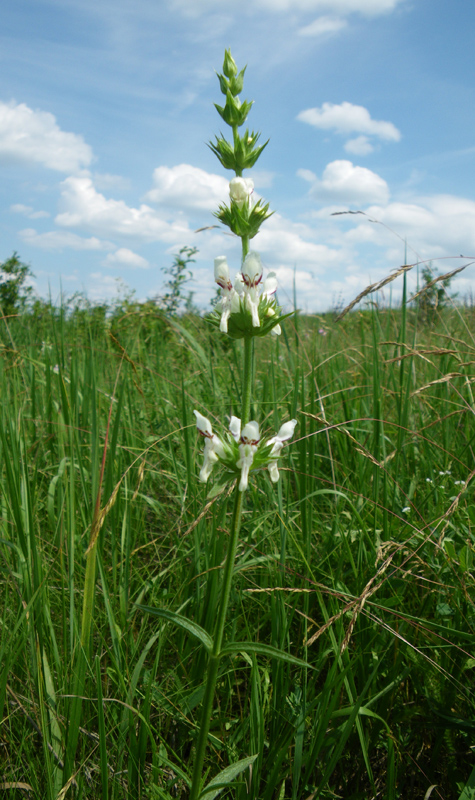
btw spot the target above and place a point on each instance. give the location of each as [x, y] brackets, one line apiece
[343, 182]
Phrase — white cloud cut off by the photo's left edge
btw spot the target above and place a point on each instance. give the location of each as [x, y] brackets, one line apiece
[28, 136]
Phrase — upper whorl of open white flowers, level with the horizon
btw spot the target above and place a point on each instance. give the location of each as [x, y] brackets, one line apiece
[246, 310]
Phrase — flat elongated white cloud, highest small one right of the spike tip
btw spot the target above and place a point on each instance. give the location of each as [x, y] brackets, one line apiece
[347, 118]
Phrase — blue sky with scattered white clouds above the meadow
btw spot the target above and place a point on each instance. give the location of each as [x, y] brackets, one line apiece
[106, 108]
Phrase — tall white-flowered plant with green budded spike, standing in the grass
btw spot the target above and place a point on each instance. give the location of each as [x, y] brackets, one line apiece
[247, 308]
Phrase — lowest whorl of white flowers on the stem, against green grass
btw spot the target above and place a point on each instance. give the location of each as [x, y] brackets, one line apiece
[242, 450]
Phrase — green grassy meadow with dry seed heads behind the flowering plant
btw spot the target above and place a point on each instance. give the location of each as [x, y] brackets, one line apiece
[359, 562]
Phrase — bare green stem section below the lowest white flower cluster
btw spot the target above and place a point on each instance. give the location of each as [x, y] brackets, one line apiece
[213, 663]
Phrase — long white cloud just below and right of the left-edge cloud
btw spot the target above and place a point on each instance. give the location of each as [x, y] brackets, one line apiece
[82, 206]
